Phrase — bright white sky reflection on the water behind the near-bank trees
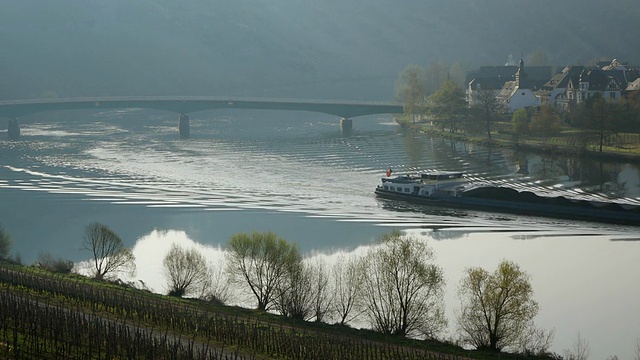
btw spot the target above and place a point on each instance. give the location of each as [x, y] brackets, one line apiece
[577, 290]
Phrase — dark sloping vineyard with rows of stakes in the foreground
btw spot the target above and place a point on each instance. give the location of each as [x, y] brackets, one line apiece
[51, 316]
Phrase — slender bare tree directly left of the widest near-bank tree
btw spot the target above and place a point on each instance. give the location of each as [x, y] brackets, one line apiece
[346, 284]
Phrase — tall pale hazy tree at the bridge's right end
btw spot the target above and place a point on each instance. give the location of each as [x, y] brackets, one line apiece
[410, 90]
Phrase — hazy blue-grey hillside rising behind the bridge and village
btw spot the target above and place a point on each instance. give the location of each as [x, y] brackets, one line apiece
[350, 49]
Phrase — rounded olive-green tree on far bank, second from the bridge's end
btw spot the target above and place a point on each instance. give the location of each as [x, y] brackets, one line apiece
[448, 104]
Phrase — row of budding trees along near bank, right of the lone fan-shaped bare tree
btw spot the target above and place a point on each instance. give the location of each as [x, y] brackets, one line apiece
[395, 287]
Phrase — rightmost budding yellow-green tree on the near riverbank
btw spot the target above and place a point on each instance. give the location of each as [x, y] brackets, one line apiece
[497, 308]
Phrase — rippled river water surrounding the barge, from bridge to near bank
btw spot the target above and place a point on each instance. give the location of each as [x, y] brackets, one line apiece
[298, 175]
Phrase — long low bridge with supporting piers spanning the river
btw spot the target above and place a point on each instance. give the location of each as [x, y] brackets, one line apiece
[184, 105]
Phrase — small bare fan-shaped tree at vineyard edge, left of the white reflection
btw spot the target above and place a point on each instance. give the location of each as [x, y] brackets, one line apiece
[109, 253]
